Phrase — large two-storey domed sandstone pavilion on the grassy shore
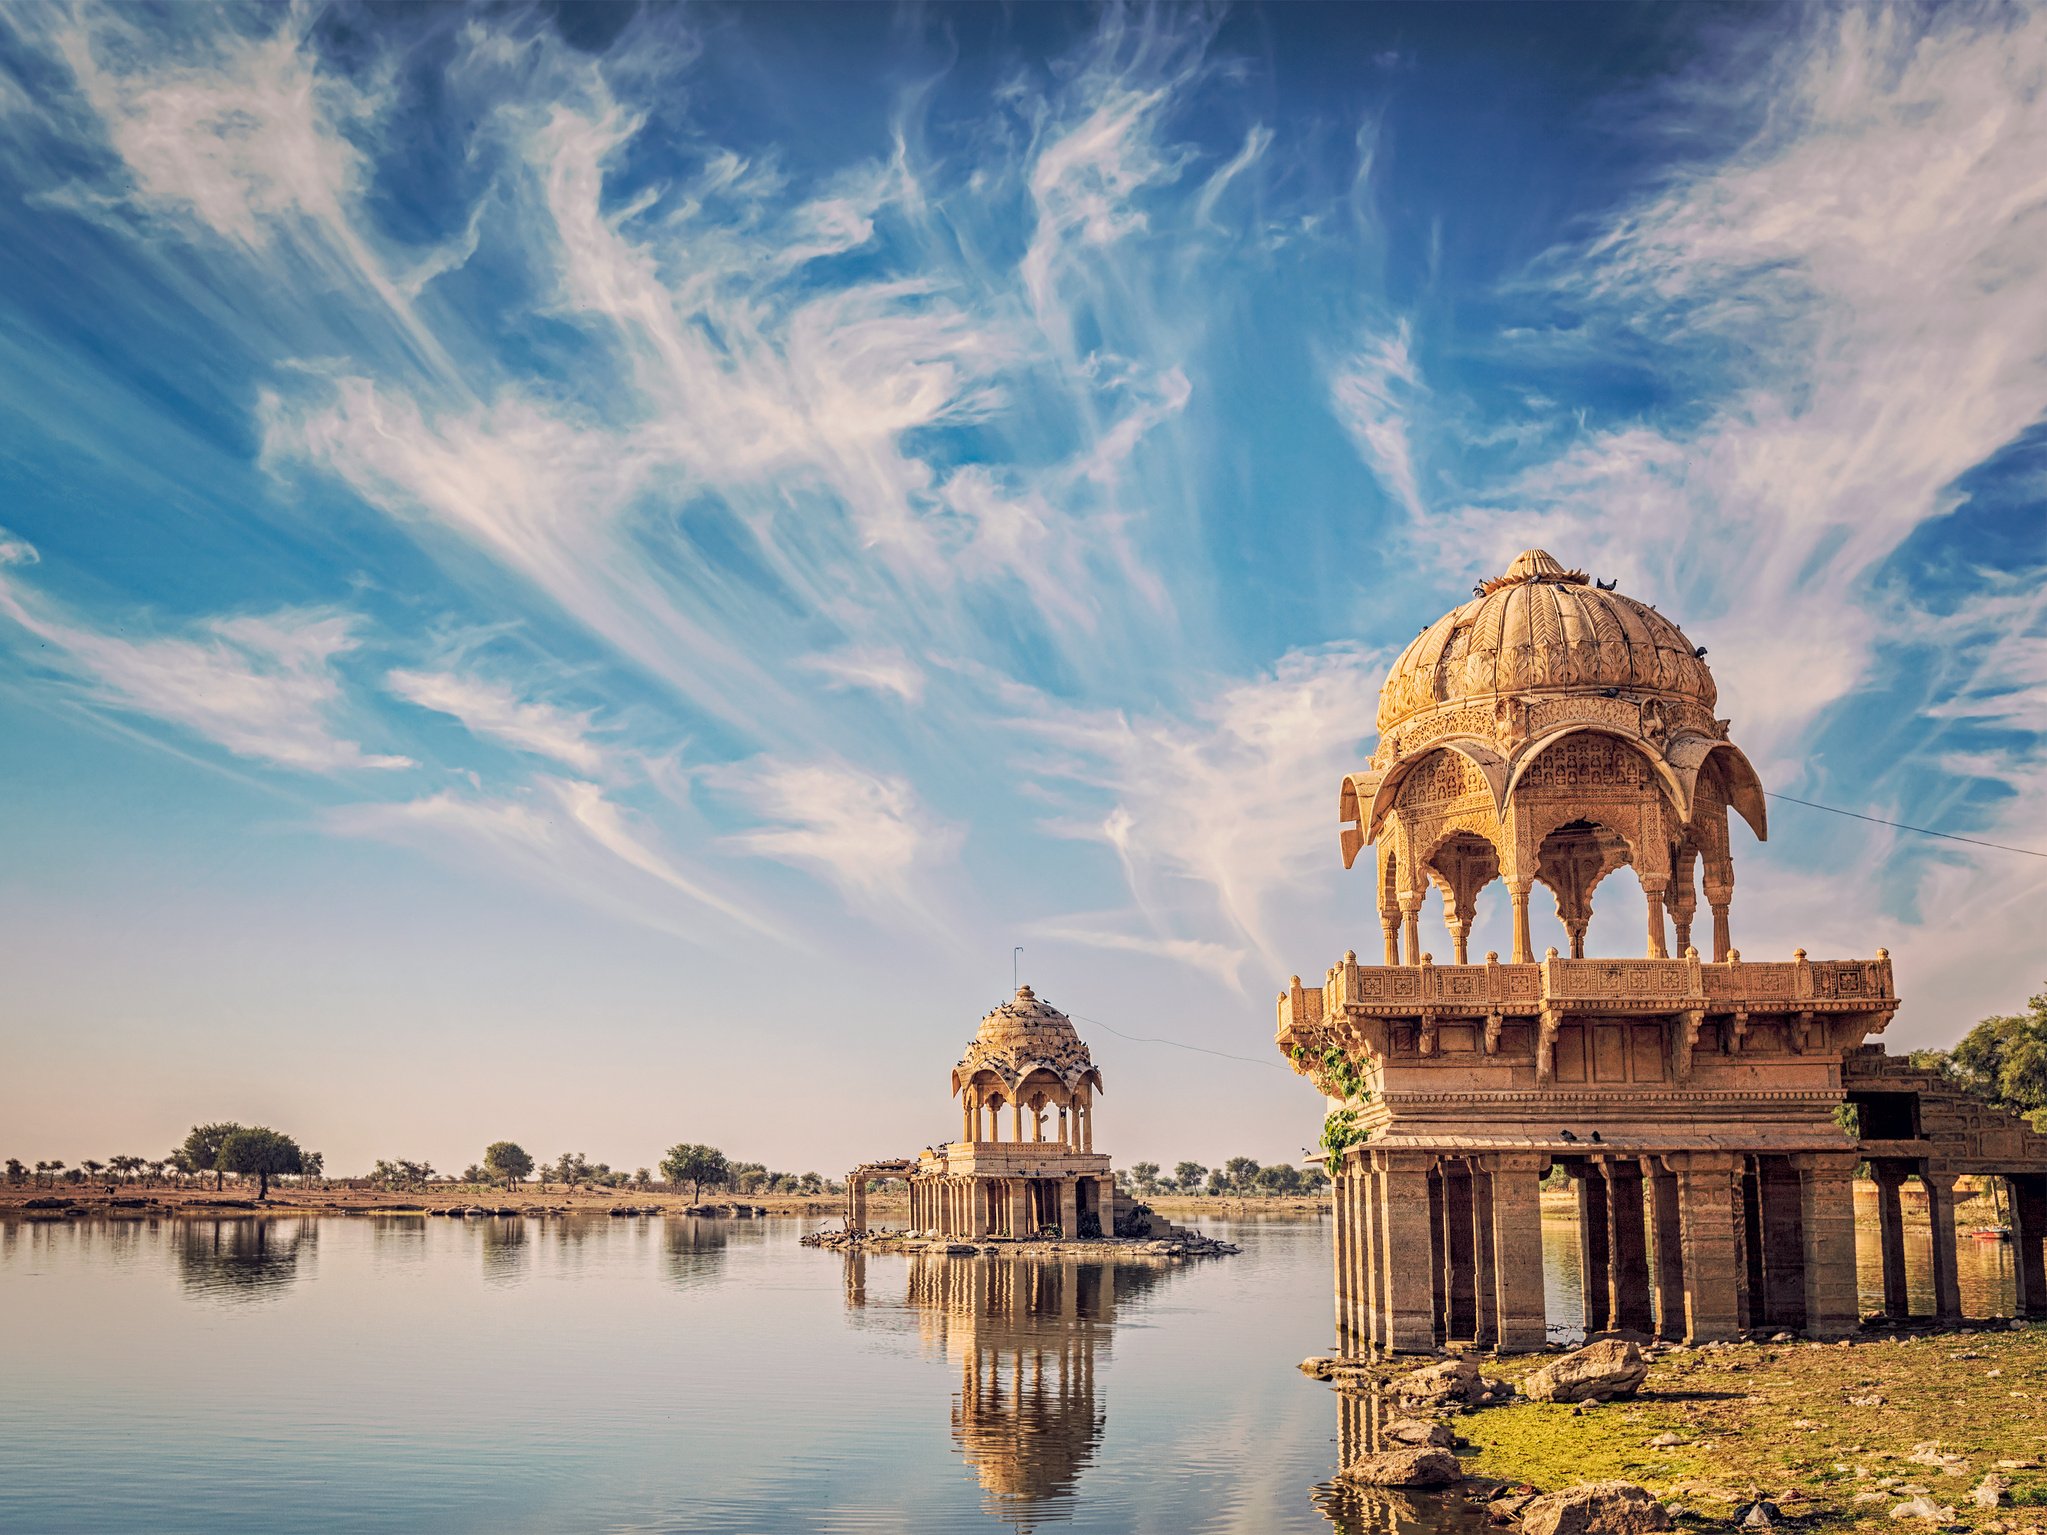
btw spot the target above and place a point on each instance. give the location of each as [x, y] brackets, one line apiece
[1555, 732]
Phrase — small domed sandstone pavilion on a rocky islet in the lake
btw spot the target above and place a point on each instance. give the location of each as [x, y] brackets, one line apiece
[1027, 1069]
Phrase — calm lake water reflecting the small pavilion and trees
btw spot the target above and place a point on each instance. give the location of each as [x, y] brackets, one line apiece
[595, 1374]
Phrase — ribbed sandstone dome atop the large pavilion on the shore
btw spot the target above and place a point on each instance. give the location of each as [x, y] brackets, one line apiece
[1542, 629]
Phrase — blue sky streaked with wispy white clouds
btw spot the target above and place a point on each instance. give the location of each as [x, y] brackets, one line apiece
[584, 574]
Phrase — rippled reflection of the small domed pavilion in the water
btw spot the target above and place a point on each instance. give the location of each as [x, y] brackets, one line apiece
[1027, 1337]
